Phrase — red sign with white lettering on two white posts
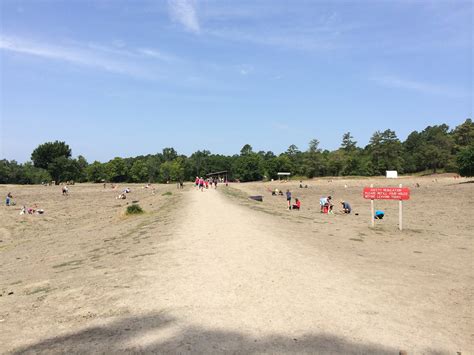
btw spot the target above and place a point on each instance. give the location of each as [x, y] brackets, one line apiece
[387, 193]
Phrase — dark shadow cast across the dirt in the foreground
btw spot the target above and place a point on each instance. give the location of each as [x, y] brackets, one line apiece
[160, 333]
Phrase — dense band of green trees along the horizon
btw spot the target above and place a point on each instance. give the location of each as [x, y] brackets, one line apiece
[436, 148]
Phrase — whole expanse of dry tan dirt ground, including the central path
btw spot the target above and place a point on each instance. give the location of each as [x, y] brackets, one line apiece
[212, 271]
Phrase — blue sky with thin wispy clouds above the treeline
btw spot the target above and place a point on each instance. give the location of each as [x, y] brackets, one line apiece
[126, 78]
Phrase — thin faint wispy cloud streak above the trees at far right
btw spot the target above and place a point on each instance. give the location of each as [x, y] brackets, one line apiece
[425, 88]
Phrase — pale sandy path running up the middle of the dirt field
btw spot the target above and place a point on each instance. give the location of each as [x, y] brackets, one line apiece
[232, 279]
